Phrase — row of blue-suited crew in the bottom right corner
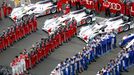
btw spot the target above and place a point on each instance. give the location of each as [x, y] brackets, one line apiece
[122, 62]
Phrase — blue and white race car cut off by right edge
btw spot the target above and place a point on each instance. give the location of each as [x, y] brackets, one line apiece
[126, 39]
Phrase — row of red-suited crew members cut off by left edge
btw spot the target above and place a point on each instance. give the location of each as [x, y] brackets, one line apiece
[17, 32]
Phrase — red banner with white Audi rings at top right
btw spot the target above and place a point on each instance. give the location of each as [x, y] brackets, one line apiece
[114, 5]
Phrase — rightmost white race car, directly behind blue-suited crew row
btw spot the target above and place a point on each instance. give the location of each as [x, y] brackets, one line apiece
[117, 24]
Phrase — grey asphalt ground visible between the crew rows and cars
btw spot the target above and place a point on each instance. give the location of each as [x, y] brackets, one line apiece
[66, 50]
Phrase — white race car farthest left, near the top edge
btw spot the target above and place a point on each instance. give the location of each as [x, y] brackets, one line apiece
[39, 9]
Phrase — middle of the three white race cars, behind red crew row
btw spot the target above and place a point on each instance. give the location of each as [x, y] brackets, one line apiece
[82, 17]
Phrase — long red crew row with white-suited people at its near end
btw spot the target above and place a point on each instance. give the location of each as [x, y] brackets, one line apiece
[29, 58]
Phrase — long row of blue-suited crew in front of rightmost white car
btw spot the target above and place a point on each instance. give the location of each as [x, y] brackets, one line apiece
[79, 62]
